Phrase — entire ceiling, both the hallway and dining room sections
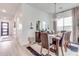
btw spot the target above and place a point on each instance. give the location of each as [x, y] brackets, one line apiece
[11, 8]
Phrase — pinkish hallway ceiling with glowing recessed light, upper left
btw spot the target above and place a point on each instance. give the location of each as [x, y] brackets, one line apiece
[8, 10]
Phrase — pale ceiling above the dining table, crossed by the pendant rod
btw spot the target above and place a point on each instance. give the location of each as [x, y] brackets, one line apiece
[50, 7]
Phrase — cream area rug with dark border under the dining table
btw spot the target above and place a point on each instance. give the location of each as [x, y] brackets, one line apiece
[35, 50]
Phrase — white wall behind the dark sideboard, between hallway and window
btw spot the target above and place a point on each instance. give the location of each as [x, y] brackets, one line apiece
[27, 14]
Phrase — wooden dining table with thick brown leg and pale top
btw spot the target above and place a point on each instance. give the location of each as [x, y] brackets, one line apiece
[57, 39]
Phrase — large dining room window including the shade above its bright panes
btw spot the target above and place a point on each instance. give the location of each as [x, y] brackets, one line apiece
[64, 21]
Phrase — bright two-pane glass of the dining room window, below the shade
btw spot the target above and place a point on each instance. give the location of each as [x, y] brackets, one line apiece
[64, 24]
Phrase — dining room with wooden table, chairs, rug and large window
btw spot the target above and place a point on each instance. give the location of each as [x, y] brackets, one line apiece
[50, 29]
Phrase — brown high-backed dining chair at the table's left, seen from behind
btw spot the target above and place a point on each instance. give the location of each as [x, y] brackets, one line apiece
[44, 42]
